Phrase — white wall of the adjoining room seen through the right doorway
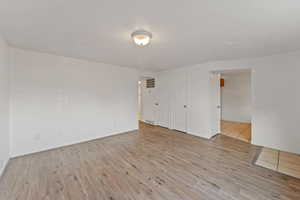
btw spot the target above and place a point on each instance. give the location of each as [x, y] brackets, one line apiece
[236, 97]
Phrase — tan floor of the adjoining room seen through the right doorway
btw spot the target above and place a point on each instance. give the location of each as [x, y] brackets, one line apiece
[237, 130]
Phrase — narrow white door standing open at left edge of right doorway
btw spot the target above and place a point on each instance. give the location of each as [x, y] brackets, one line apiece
[215, 100]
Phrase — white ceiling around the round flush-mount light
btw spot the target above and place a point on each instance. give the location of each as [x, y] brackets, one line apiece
[184, 32]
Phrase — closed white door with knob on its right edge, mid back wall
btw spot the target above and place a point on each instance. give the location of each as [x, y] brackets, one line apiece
[179, 99]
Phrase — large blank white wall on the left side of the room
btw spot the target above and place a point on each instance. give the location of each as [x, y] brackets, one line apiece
[58, 101]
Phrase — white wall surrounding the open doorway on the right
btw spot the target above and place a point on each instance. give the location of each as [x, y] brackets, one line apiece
[275, 98]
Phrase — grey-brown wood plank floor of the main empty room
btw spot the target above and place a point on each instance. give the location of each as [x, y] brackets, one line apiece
[152, 163]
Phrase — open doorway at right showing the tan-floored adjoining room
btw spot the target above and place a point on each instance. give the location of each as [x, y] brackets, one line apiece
[235, 88]
